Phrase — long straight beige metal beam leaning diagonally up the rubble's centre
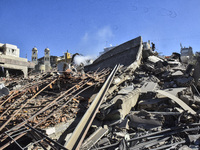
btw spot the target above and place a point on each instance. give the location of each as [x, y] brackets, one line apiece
[80, 131]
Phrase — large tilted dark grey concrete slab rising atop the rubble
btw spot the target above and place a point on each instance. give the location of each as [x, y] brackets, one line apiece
[124, 54]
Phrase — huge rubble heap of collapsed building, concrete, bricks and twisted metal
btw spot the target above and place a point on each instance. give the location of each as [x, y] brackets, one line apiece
[129, 98]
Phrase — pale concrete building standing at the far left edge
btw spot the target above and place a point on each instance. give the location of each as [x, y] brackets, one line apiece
[11, 64]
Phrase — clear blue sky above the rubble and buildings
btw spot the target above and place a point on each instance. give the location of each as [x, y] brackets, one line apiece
[87, 26]
